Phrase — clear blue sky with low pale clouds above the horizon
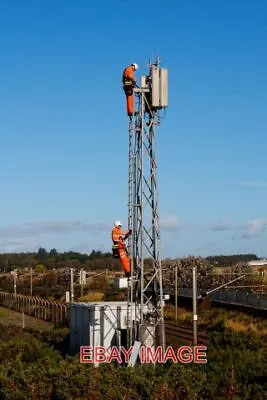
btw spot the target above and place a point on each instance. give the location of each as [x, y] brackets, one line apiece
[64, 130]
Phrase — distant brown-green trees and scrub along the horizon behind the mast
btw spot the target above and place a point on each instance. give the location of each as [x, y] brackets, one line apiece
[51, 272]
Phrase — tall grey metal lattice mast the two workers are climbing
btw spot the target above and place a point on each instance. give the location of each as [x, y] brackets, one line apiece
[145, 290]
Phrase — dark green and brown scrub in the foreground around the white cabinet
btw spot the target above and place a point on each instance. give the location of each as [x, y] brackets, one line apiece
[34, 365]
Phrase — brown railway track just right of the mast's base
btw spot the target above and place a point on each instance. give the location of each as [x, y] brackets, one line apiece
[184, 334]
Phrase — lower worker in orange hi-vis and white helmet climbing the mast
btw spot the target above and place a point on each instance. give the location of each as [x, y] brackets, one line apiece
[119, 248]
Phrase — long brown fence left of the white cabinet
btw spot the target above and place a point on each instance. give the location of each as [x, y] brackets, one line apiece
[36, 306]
